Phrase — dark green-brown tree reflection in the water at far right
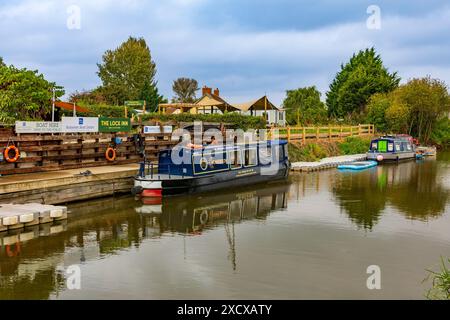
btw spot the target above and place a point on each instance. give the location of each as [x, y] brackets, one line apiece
[413, 188]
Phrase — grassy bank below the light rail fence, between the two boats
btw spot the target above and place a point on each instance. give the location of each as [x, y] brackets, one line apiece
[314, 151]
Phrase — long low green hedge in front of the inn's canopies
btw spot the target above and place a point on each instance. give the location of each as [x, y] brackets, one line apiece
[239, 121]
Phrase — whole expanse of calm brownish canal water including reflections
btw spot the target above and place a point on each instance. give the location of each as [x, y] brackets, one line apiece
[313, 237]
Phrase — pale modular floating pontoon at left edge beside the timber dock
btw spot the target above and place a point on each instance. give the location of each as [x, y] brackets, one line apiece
[17, 216]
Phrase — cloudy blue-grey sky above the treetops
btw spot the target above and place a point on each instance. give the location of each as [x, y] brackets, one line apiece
[245, 48]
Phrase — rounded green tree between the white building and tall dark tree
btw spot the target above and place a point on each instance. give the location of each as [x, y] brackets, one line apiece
[303, 106]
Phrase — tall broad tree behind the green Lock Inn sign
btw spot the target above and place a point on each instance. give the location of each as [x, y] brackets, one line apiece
[126, 70]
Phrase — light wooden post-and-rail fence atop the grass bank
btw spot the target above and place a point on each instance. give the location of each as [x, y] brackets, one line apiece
[306, 134]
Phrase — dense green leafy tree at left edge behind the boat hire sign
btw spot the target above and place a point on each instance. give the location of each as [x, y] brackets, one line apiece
[25, 95]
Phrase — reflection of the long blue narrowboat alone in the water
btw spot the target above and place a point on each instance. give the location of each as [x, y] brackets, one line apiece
[192, 214]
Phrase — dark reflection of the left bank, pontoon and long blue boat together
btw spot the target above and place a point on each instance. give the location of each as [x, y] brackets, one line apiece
[32, 260]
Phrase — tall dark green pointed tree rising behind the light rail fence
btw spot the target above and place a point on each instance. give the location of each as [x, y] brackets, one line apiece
[363, 76]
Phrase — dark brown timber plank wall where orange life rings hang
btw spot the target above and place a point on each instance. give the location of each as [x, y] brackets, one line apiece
[51, 152]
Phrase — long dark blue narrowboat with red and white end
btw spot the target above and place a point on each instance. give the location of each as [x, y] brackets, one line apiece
[185, 169]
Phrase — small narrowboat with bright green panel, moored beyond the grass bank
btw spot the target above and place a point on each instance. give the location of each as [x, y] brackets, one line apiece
[391, 148]
